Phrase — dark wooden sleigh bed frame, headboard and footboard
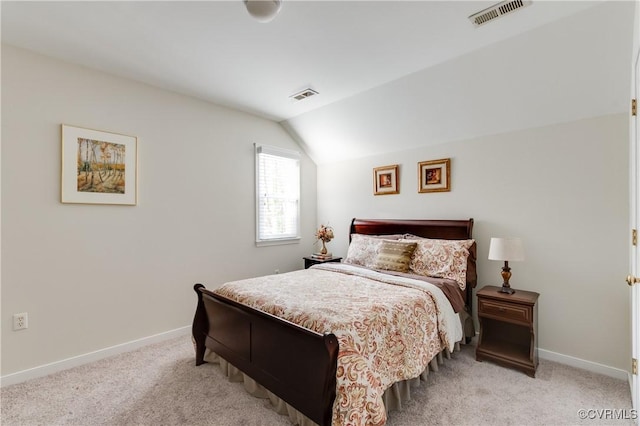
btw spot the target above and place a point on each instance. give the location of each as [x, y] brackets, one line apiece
[296, 364]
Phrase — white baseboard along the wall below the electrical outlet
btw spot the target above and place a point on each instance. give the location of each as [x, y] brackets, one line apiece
[44, 370]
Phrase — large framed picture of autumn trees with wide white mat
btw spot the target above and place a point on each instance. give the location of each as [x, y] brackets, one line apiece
[98, 167]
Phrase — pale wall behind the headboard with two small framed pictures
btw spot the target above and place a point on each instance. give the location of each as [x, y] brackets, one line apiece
[563, 189]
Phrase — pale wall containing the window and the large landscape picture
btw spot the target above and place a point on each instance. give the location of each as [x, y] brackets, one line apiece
[93, 276]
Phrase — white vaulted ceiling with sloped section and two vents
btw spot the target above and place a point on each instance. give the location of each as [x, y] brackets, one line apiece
[391, 75]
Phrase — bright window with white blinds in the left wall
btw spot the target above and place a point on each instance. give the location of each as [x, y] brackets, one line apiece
[277, 195]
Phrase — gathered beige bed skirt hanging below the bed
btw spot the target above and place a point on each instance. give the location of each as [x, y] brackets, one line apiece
[393, 397]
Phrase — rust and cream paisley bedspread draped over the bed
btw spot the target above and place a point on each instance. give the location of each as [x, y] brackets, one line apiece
[388, 328]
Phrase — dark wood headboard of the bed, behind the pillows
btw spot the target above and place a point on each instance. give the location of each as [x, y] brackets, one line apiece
[441, 229]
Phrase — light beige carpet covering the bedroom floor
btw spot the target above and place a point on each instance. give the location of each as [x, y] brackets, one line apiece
[160, 385]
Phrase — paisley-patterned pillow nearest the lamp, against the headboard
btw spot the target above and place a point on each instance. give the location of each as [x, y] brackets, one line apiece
[440, 258]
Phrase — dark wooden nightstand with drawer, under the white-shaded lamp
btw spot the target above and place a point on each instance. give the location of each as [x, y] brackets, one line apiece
[508, 328]
